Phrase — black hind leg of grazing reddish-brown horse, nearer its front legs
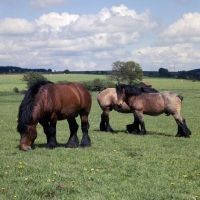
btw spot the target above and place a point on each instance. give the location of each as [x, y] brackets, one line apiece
[73, 141]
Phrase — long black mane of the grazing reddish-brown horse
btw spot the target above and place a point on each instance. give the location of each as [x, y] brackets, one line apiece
[27, 105]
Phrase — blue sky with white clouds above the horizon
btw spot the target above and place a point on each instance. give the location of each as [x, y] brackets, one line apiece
[91, 35]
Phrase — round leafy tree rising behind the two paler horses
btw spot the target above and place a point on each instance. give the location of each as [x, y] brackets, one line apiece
[126, 72]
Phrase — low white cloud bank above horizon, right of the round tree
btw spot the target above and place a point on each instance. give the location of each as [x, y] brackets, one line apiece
[182, 56]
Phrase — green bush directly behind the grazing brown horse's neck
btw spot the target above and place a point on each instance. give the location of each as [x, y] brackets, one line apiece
[31, 77]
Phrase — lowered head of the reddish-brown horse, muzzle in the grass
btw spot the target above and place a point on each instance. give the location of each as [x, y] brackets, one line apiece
[27, 137]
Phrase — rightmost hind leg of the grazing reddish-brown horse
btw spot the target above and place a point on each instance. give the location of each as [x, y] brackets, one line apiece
[85, 142]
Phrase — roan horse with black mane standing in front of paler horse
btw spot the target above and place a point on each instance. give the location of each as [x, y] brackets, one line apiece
[153, 104]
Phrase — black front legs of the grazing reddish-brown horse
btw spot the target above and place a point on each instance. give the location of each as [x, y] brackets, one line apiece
[50, 131]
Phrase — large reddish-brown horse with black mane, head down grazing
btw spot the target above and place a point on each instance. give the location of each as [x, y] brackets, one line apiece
[45, 103]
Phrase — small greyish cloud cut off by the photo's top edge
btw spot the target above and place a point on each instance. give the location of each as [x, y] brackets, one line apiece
[41, 4]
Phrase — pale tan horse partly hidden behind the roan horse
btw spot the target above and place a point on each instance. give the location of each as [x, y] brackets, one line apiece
[107, 100]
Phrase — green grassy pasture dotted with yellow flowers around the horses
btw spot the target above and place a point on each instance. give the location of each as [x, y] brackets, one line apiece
[117, 165]
